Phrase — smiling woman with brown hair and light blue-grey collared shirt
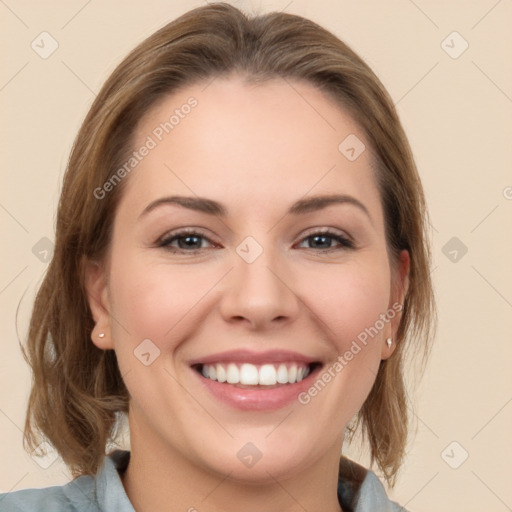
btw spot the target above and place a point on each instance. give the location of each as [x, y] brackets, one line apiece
[241, 264]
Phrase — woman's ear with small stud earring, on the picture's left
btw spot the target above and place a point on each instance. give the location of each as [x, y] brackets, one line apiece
[96, 285]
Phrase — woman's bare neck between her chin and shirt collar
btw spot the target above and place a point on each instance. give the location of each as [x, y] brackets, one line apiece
[160, 478]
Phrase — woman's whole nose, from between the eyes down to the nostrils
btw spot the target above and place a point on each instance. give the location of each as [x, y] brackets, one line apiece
[258, 289]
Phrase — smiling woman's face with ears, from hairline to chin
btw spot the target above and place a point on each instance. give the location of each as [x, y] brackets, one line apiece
[245, 275]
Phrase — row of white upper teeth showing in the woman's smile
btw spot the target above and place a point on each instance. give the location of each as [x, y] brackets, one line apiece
[253, 375]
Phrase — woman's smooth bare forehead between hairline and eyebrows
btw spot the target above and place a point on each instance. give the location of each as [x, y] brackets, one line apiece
[260, 145]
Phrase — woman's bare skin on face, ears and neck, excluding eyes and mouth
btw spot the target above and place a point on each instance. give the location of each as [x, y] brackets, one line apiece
[256, 149]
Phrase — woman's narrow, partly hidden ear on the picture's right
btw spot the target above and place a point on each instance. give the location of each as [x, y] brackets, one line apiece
[399, 287]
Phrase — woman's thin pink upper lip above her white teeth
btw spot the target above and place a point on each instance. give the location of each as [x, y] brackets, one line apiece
[250, 356]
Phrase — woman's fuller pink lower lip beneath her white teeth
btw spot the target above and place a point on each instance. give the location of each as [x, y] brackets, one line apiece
[259, 398]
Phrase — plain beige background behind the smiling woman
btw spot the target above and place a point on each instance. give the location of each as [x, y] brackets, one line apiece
[458, 115]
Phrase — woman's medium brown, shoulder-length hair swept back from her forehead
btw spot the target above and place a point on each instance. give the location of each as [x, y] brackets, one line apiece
[77, 390]
